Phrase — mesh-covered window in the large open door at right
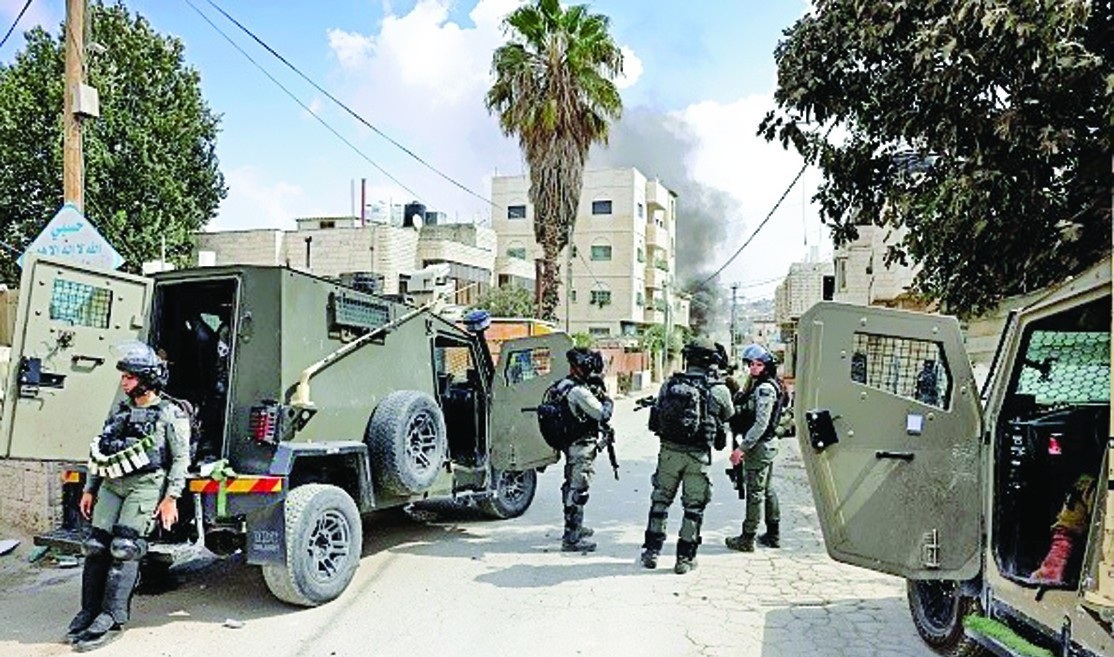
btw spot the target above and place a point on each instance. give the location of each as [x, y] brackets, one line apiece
[913, 369]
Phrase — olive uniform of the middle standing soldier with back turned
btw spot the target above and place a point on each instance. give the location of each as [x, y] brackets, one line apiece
[685, 465]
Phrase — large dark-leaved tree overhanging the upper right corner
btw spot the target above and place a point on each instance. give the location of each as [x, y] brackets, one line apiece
[981, 129]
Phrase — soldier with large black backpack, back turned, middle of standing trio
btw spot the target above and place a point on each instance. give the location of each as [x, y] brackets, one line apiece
[690, 416]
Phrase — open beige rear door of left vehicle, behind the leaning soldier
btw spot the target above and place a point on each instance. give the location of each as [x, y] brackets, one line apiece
[62, 381]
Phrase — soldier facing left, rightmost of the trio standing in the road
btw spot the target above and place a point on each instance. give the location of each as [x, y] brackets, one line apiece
[759, 407]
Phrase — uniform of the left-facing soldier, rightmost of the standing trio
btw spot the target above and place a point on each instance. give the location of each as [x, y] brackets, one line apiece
[758, 424]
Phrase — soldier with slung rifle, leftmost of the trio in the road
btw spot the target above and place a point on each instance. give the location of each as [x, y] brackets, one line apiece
[589, 409]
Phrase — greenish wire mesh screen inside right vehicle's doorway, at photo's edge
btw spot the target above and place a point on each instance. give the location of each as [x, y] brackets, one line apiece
[1062, 368]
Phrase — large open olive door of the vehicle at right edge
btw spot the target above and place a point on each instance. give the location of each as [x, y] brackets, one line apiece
[888, 418]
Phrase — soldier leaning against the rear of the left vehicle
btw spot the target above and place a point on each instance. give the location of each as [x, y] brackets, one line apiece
[138, 469]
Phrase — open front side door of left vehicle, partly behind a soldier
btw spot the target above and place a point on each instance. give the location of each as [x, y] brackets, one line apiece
[527, 367]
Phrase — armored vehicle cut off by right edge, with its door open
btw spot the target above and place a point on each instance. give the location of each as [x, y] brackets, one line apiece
[994, 505]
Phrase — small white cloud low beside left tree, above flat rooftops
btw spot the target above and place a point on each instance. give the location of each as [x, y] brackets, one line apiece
[257, 203]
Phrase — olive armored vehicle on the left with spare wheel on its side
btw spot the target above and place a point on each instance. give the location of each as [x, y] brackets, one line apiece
[316, 405]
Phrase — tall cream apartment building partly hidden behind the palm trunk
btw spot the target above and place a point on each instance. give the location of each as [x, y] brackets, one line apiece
[623, 257]
